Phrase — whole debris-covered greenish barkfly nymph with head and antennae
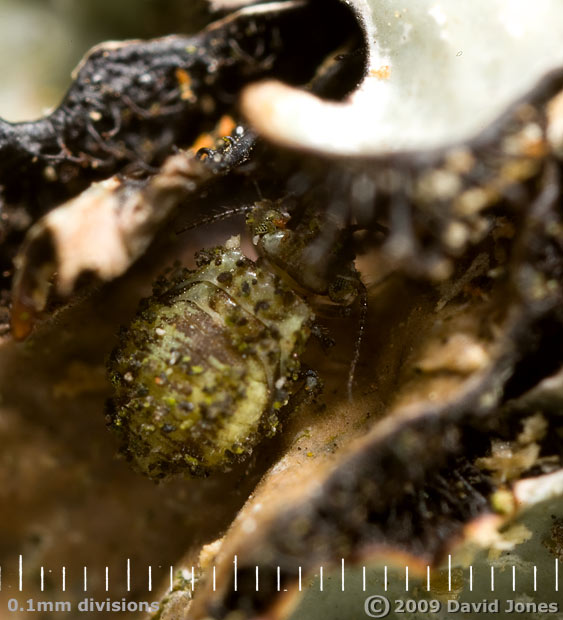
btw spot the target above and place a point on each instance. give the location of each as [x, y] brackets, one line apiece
[211, 362]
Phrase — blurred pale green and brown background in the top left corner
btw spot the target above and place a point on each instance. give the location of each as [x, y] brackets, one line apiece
[41, 41]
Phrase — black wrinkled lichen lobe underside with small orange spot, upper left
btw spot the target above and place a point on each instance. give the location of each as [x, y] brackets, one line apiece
[132, 102]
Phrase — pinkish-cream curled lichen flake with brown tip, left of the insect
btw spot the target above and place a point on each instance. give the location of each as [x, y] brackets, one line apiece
[107, 227]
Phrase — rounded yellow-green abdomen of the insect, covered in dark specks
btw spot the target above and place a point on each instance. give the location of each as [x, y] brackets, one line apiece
[202, 371]
